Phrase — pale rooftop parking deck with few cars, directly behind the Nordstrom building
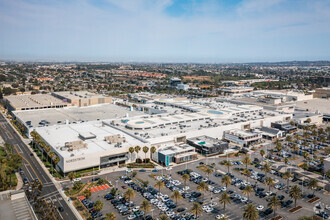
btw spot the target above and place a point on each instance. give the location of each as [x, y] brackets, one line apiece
[74, 114]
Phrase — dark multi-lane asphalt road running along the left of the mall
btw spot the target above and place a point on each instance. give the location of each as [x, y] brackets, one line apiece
[32, 169]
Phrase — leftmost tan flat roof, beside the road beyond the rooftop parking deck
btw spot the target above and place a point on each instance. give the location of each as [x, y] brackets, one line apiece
[33, 101]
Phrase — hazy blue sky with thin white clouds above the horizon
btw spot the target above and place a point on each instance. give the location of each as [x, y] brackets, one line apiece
[215, 31]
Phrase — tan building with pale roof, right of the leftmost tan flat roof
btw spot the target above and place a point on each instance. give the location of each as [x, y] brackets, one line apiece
[82, 98]
